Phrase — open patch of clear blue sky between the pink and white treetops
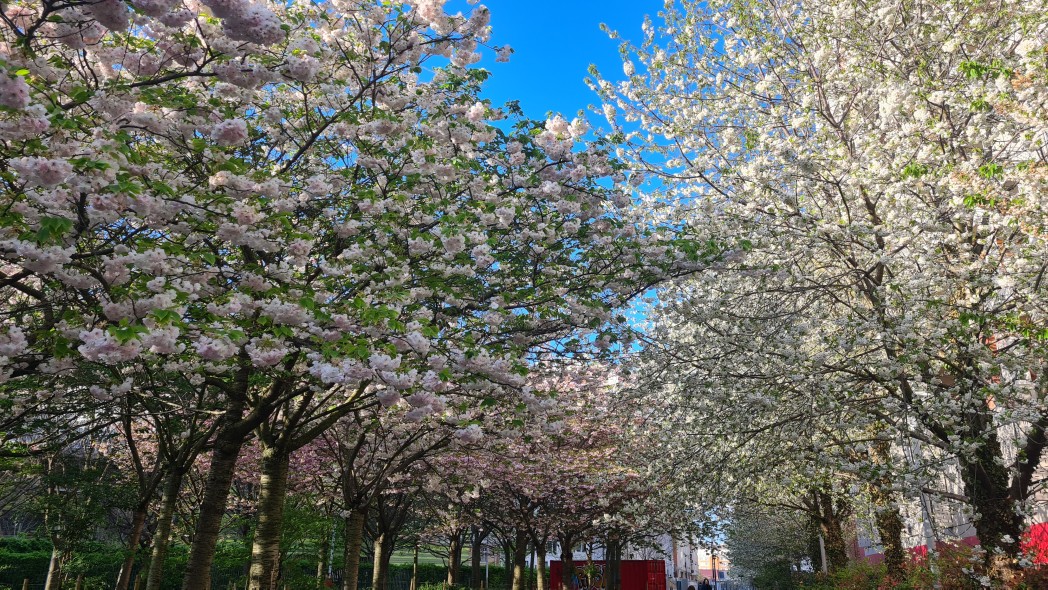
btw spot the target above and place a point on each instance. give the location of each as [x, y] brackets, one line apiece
[555, 42]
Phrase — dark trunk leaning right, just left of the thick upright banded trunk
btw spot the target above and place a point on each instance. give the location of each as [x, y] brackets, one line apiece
[224, 464]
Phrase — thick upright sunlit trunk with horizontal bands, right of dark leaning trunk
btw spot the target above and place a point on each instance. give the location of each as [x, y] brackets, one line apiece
[266, 548]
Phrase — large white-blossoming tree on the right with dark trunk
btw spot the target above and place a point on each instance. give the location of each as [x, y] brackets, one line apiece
[883, 164]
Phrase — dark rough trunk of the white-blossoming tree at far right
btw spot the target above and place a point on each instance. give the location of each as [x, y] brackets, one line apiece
[997, 525]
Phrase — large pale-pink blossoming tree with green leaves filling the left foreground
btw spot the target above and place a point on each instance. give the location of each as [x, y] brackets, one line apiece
[286, 203]
